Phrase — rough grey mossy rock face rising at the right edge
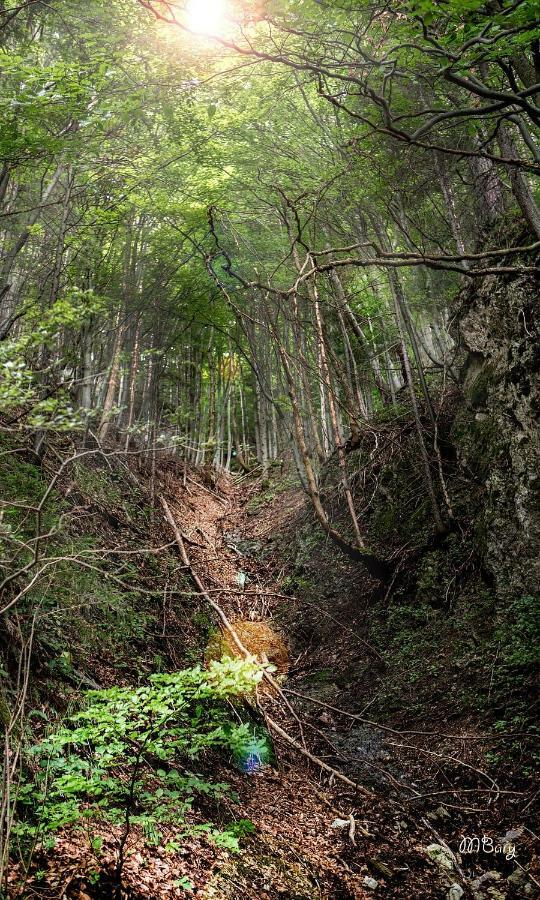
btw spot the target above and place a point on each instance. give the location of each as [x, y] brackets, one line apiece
[497, 430]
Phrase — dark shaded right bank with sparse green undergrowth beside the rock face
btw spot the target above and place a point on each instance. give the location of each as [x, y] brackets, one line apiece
[447, 644]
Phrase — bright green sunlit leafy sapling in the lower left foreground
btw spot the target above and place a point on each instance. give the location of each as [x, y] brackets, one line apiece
[127, 754]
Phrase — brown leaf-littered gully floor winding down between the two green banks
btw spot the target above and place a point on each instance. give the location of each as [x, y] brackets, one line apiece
[315, 837]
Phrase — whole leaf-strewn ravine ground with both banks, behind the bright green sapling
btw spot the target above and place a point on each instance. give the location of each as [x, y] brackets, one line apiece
[440, 740]
